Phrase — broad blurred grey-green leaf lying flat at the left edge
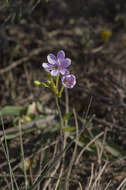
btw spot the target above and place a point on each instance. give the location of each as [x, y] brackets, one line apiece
[12, 110]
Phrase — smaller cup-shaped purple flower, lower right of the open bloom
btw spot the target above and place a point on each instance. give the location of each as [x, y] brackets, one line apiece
[68, 81]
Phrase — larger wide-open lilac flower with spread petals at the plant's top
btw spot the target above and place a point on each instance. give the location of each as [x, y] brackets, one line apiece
[57, 64]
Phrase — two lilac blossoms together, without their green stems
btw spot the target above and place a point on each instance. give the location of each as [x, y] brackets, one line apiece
[58, 65]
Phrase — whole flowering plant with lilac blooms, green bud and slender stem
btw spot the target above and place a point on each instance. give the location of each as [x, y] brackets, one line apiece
[57, 68]
